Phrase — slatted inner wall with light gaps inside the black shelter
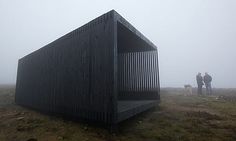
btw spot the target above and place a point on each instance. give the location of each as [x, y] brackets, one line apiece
[138, 75]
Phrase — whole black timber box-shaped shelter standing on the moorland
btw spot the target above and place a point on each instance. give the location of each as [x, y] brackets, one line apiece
[104, 71]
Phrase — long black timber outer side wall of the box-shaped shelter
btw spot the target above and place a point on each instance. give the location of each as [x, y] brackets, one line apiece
[72, 75]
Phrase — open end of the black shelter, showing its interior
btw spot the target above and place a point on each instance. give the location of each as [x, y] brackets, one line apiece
[138, 81]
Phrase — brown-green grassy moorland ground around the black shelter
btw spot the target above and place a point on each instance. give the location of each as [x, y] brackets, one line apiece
[177, 118]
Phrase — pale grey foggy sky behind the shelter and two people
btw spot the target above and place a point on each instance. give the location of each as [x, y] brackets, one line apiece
[191, 35]
